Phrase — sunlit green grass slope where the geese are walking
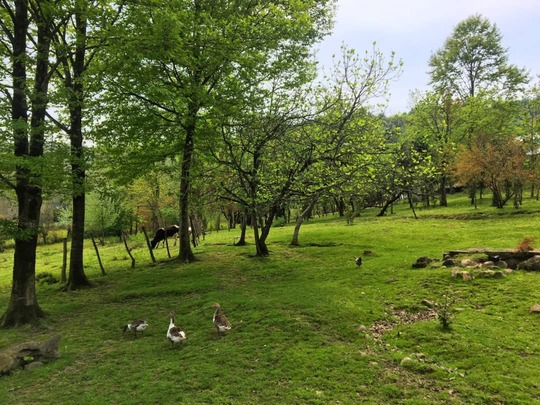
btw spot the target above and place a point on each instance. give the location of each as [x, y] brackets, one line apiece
[302, 319]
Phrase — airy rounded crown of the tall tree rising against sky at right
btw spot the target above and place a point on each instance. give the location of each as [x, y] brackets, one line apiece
[473, 60]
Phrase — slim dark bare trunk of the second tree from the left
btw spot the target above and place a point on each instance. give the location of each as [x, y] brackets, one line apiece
[77, 277]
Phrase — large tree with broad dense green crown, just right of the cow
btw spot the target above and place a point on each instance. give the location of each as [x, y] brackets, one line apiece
[182, 64]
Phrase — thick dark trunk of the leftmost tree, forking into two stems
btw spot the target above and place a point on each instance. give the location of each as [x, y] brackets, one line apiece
[23, 306]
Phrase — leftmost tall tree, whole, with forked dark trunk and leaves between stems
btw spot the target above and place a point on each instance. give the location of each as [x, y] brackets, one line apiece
[23, 19]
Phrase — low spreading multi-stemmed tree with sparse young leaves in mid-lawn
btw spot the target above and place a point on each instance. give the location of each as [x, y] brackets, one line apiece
[300, 143]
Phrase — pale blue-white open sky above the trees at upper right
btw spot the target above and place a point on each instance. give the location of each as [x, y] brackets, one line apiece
[415, 29]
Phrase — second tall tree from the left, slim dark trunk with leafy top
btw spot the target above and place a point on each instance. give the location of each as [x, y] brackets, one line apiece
[76, 51]
